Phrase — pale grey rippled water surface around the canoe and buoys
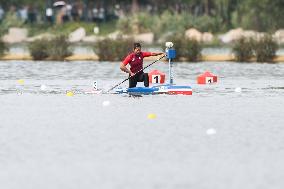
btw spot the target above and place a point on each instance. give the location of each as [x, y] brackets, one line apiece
[50, 140]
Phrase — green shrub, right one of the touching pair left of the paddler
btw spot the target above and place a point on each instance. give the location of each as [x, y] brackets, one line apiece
[59, 48]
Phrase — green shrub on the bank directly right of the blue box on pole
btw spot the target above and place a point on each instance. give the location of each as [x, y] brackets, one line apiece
[187, 48]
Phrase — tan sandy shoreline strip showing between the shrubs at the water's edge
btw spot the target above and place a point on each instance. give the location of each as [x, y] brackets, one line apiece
[93, 57]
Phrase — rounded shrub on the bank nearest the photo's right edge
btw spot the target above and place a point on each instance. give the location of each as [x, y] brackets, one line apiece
[265, 49]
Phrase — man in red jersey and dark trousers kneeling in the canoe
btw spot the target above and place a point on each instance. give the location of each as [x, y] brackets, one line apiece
[135, 60]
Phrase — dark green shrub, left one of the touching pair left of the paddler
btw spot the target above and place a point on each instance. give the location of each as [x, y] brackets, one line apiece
[39, 49]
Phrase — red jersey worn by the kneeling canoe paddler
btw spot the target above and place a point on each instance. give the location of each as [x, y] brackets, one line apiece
[136, 61]
